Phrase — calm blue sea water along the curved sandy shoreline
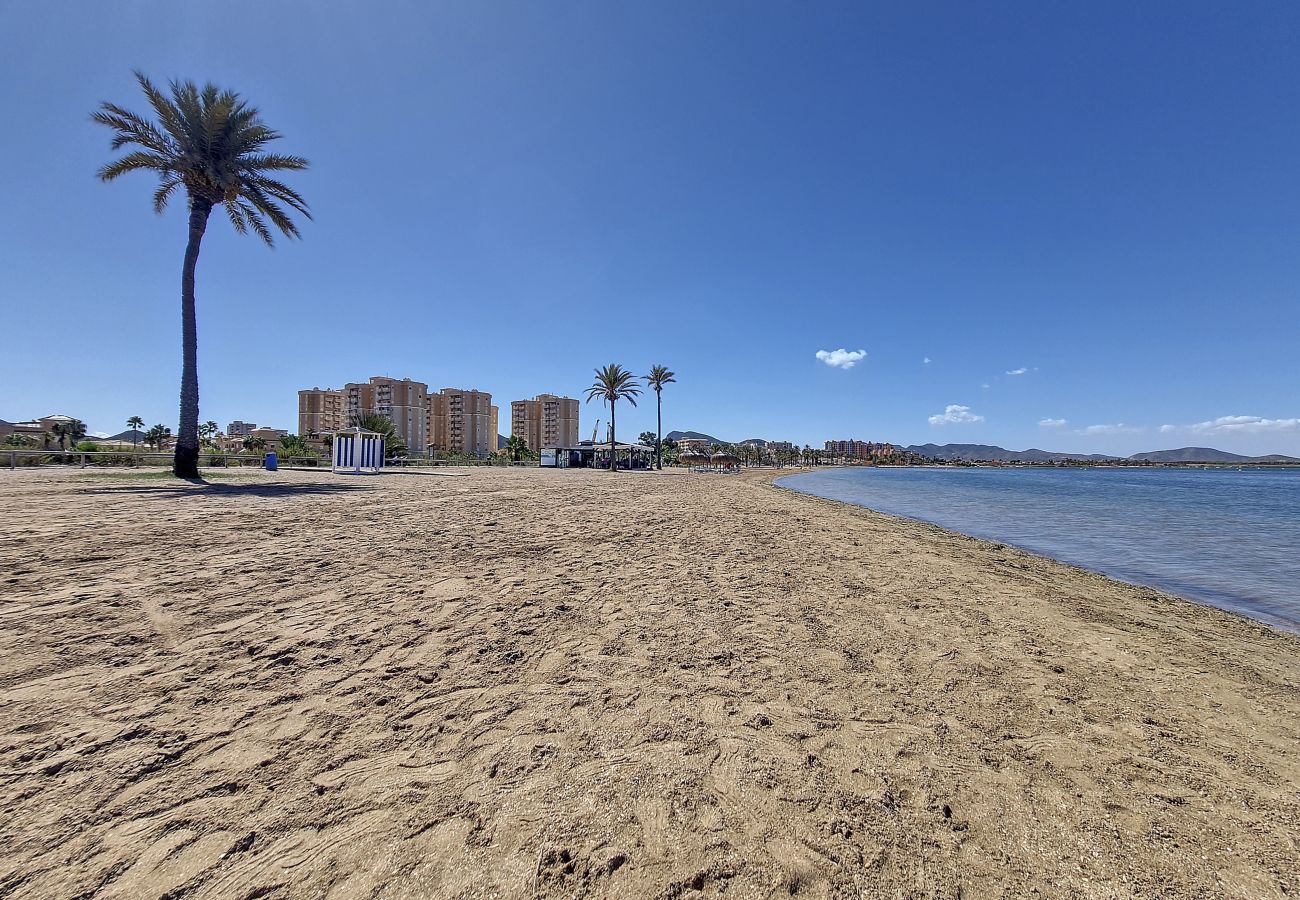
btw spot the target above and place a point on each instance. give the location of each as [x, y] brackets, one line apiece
[1227, 538]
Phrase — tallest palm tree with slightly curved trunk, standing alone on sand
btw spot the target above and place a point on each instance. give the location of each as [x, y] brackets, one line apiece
[213, 144]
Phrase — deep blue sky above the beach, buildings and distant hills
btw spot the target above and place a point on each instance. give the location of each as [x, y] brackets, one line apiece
[1106, 196]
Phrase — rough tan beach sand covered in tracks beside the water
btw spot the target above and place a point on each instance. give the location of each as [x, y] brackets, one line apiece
[523, 683]
